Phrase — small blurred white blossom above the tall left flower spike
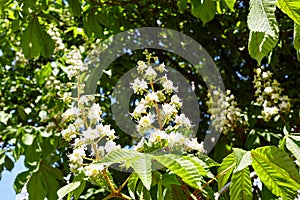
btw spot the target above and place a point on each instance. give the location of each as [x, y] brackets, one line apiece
[75, 64]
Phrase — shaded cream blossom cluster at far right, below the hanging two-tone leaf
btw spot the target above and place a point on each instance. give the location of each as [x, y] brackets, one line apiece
[268, 93]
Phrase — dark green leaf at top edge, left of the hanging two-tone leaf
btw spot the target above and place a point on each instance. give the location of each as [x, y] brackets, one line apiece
[206, 10]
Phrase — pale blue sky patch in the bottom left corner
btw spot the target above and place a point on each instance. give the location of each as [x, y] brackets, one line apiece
[7, 191]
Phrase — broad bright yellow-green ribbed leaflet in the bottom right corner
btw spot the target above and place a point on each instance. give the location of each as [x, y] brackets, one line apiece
[276, 170]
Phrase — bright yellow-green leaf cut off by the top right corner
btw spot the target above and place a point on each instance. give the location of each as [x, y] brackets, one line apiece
[291, 8]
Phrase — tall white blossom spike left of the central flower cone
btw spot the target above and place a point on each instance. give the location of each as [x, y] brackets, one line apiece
[86, 131]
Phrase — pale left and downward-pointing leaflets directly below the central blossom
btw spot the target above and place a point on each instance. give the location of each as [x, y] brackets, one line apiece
[141, 163]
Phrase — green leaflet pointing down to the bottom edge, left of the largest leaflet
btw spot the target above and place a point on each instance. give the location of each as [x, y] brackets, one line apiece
[241, 185]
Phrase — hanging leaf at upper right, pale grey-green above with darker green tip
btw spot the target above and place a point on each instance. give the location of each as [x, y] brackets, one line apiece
[263, 28]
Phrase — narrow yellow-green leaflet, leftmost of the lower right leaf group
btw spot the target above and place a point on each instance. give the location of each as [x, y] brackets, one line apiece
[225, 170]
